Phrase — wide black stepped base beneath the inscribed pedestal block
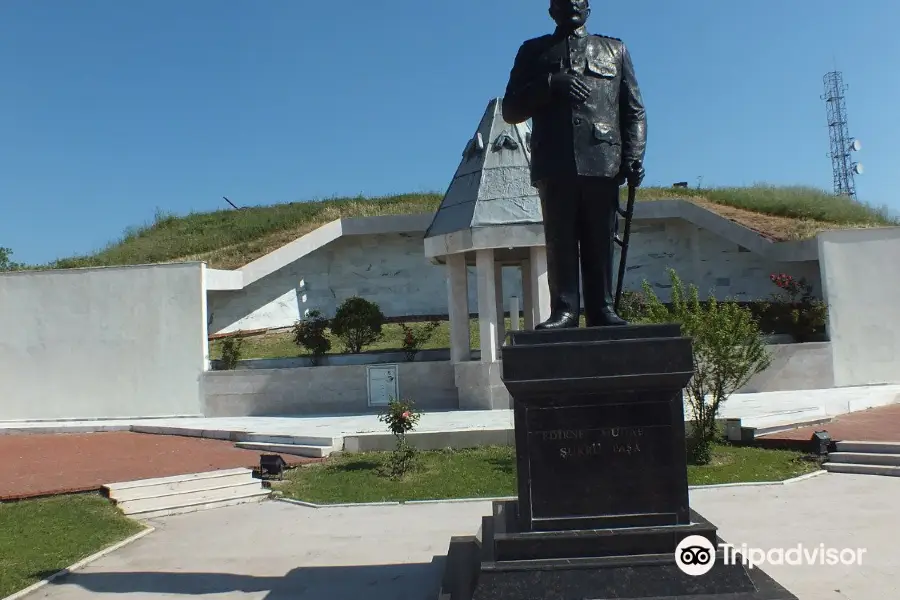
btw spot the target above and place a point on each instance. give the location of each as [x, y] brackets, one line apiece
[624, 563]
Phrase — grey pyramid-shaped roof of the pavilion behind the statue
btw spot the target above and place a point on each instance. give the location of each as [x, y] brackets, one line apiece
[492, 185]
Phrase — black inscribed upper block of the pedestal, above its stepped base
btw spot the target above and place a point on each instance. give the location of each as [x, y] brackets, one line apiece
[602, 443]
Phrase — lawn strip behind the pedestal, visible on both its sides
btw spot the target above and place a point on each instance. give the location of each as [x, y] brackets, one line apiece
[487, 472]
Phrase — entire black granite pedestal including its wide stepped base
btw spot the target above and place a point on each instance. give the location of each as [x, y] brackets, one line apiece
[603, 493]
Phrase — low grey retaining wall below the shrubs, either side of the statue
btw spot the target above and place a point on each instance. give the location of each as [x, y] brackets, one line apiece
[433, 383]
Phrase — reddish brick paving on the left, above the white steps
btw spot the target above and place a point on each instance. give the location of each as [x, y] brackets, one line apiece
[38, 464]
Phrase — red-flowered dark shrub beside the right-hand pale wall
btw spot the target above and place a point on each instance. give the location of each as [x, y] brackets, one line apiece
[794, 308]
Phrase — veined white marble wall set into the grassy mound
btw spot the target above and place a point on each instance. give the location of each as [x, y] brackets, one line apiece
[393, 271]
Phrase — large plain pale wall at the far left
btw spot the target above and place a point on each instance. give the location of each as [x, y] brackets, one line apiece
[102, 343]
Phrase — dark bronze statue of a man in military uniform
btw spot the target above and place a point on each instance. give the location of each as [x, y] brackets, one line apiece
[588, 138]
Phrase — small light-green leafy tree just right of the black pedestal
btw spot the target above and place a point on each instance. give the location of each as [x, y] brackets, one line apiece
[728, 351]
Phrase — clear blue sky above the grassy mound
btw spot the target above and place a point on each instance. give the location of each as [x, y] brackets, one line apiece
[111, 110]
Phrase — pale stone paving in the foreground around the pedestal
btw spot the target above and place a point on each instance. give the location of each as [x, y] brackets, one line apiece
[280, 551]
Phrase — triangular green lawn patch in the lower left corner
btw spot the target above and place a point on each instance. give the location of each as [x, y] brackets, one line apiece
[42, 536]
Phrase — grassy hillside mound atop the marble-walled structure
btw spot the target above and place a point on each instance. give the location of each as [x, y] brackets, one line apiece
[229, 239]
